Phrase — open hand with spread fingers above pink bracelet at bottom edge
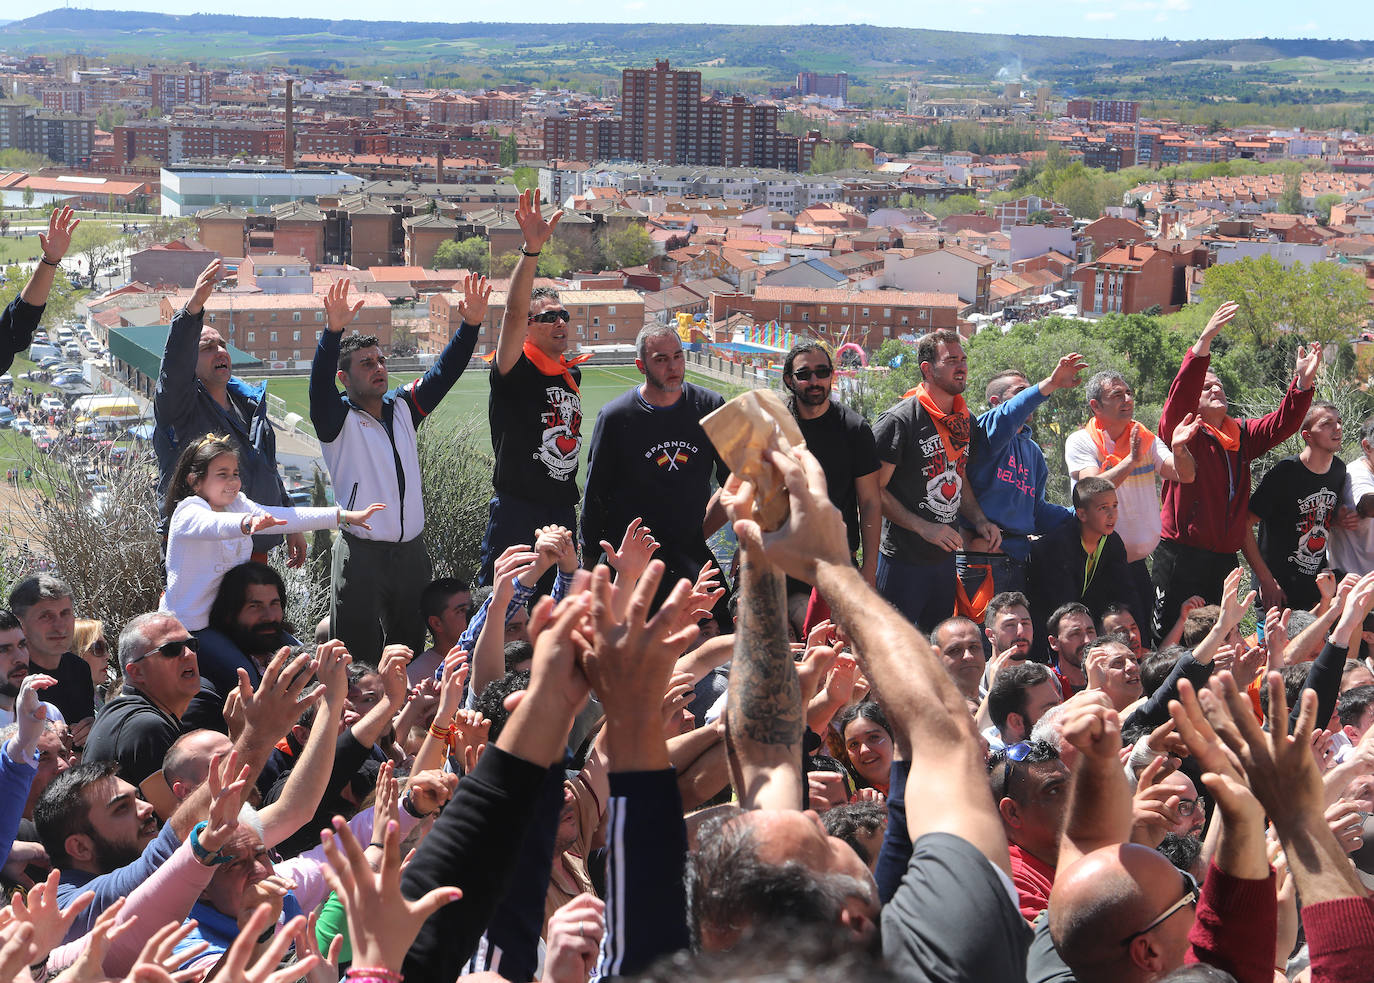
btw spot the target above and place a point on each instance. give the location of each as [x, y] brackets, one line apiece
[383, 923]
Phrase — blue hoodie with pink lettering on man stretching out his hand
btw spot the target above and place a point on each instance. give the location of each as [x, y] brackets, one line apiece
[1009, 475]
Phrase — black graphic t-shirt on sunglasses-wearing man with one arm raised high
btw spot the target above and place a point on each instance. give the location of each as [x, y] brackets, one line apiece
[537, 426]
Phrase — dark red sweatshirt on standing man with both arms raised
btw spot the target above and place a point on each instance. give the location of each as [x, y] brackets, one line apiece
[1210, 513]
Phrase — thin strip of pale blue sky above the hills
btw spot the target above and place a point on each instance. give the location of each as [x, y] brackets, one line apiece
[1081, 19]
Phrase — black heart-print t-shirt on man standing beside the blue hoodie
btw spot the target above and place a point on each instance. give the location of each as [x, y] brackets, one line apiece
[924, 481]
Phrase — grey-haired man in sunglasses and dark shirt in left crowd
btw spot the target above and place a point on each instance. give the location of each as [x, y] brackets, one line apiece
[161, 677]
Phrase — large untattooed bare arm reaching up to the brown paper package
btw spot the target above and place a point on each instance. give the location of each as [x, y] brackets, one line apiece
[932, 725]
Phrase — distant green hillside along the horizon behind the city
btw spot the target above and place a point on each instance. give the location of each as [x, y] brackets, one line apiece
[728, 54]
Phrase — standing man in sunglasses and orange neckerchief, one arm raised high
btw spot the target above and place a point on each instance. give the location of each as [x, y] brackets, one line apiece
[535, 410]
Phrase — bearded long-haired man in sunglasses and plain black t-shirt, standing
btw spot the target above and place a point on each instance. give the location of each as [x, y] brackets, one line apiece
[844, 445]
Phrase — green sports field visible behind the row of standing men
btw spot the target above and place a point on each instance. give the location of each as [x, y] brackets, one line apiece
[466, 404]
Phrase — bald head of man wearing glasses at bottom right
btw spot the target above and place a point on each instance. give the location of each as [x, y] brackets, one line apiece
[1107, 897]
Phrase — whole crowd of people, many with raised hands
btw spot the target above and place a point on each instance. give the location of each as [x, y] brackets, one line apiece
[927, 725]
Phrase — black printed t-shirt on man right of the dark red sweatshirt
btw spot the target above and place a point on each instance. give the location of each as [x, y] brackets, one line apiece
[1296, 511]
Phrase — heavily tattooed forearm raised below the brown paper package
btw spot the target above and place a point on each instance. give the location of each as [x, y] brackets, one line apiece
[763, 714]
